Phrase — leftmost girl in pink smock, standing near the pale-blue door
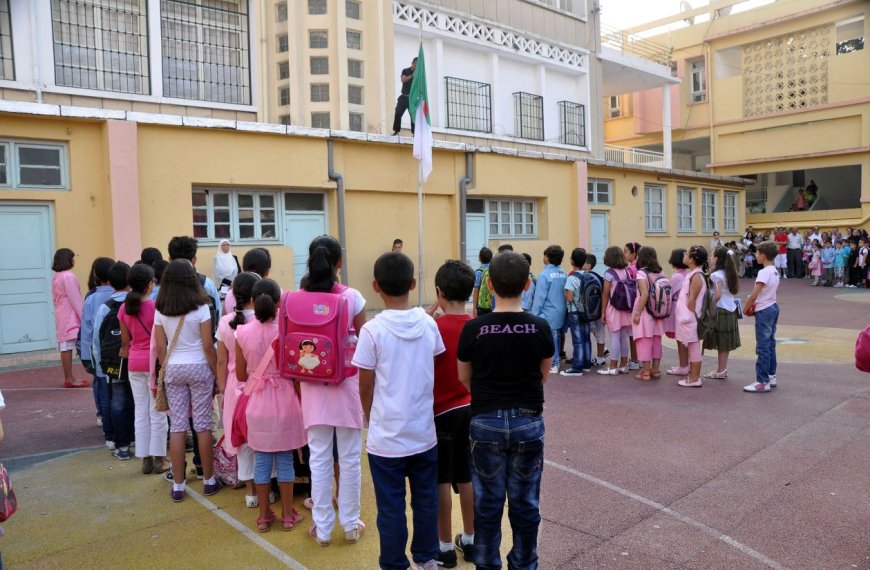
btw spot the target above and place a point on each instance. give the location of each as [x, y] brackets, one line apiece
[67, 296]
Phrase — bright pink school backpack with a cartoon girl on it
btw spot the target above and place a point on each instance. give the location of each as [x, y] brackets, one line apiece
[315, 336]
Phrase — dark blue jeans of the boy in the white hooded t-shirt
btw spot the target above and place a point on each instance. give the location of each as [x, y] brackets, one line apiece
[388, 476]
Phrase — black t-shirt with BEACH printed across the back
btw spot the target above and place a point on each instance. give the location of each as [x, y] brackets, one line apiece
[505, 351]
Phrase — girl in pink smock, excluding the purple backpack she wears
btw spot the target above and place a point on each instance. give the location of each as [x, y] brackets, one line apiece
[618, 322]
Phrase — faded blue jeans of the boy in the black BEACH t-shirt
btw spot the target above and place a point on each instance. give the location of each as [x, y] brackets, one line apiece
[507, 458]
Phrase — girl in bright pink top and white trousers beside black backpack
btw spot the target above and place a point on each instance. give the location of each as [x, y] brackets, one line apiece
[136, 320]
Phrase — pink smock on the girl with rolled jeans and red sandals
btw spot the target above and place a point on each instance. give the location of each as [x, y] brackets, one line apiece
[274, 414]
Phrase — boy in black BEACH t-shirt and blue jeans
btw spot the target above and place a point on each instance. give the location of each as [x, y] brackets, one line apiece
[504, 358]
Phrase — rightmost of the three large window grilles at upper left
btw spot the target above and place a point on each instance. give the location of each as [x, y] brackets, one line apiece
[205, 50]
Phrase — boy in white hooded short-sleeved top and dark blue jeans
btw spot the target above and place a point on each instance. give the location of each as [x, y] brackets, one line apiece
[396, 360]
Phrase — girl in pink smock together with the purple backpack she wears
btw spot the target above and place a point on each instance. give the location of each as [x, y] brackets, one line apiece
[617, 300]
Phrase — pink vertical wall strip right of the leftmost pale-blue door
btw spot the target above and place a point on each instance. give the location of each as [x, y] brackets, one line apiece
[124, 189]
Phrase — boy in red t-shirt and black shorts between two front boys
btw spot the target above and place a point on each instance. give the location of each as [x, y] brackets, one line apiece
[453, 283]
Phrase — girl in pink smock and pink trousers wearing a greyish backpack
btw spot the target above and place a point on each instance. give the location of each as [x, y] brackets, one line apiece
[653, 290]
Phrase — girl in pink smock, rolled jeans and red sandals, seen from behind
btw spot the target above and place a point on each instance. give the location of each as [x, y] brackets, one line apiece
[274, 415]
